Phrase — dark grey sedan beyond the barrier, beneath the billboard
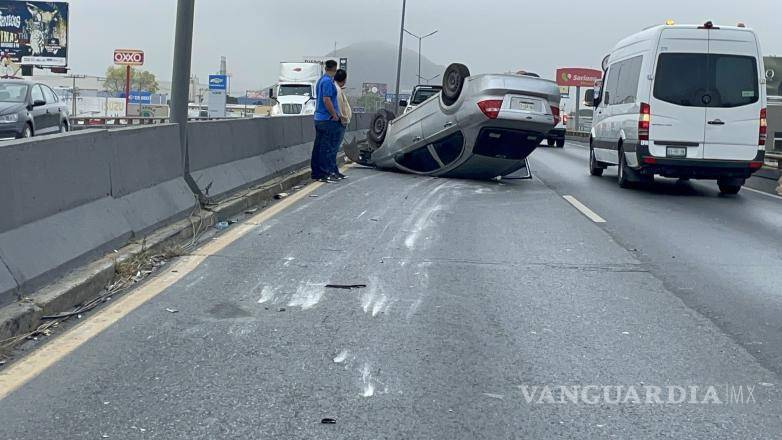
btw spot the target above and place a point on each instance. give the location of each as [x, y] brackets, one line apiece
[29, 109]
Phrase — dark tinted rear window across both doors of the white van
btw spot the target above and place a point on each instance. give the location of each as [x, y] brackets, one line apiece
[706, 80]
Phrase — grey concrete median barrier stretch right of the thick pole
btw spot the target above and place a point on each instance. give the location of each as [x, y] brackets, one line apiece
[229, 155]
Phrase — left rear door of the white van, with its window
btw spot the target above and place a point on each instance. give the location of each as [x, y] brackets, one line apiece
[678, 110]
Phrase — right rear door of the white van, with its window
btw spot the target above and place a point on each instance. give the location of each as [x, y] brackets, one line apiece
[733, 116]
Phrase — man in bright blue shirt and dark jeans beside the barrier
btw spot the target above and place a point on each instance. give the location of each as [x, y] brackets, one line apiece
[327, 124]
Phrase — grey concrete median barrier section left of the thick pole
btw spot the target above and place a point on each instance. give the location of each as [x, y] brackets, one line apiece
[70, 198]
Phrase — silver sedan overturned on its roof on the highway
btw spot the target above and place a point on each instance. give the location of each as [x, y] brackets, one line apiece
[478, 127]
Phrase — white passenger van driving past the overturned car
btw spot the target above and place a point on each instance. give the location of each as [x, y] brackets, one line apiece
[681, 101]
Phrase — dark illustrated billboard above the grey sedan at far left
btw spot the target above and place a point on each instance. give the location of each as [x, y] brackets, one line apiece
[34, 33]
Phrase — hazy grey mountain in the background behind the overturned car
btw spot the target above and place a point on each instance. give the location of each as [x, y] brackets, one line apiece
[375, 61]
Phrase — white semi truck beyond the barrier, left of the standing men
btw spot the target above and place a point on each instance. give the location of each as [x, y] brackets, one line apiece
[295, 94]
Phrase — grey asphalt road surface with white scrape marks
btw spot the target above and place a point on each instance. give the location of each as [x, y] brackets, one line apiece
[478, 295]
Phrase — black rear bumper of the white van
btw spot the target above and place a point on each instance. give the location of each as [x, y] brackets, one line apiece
[697, 168]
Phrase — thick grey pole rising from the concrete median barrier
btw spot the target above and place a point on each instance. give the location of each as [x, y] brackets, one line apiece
[180, 87]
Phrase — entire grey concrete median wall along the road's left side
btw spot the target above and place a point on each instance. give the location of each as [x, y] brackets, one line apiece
[68, 199]
